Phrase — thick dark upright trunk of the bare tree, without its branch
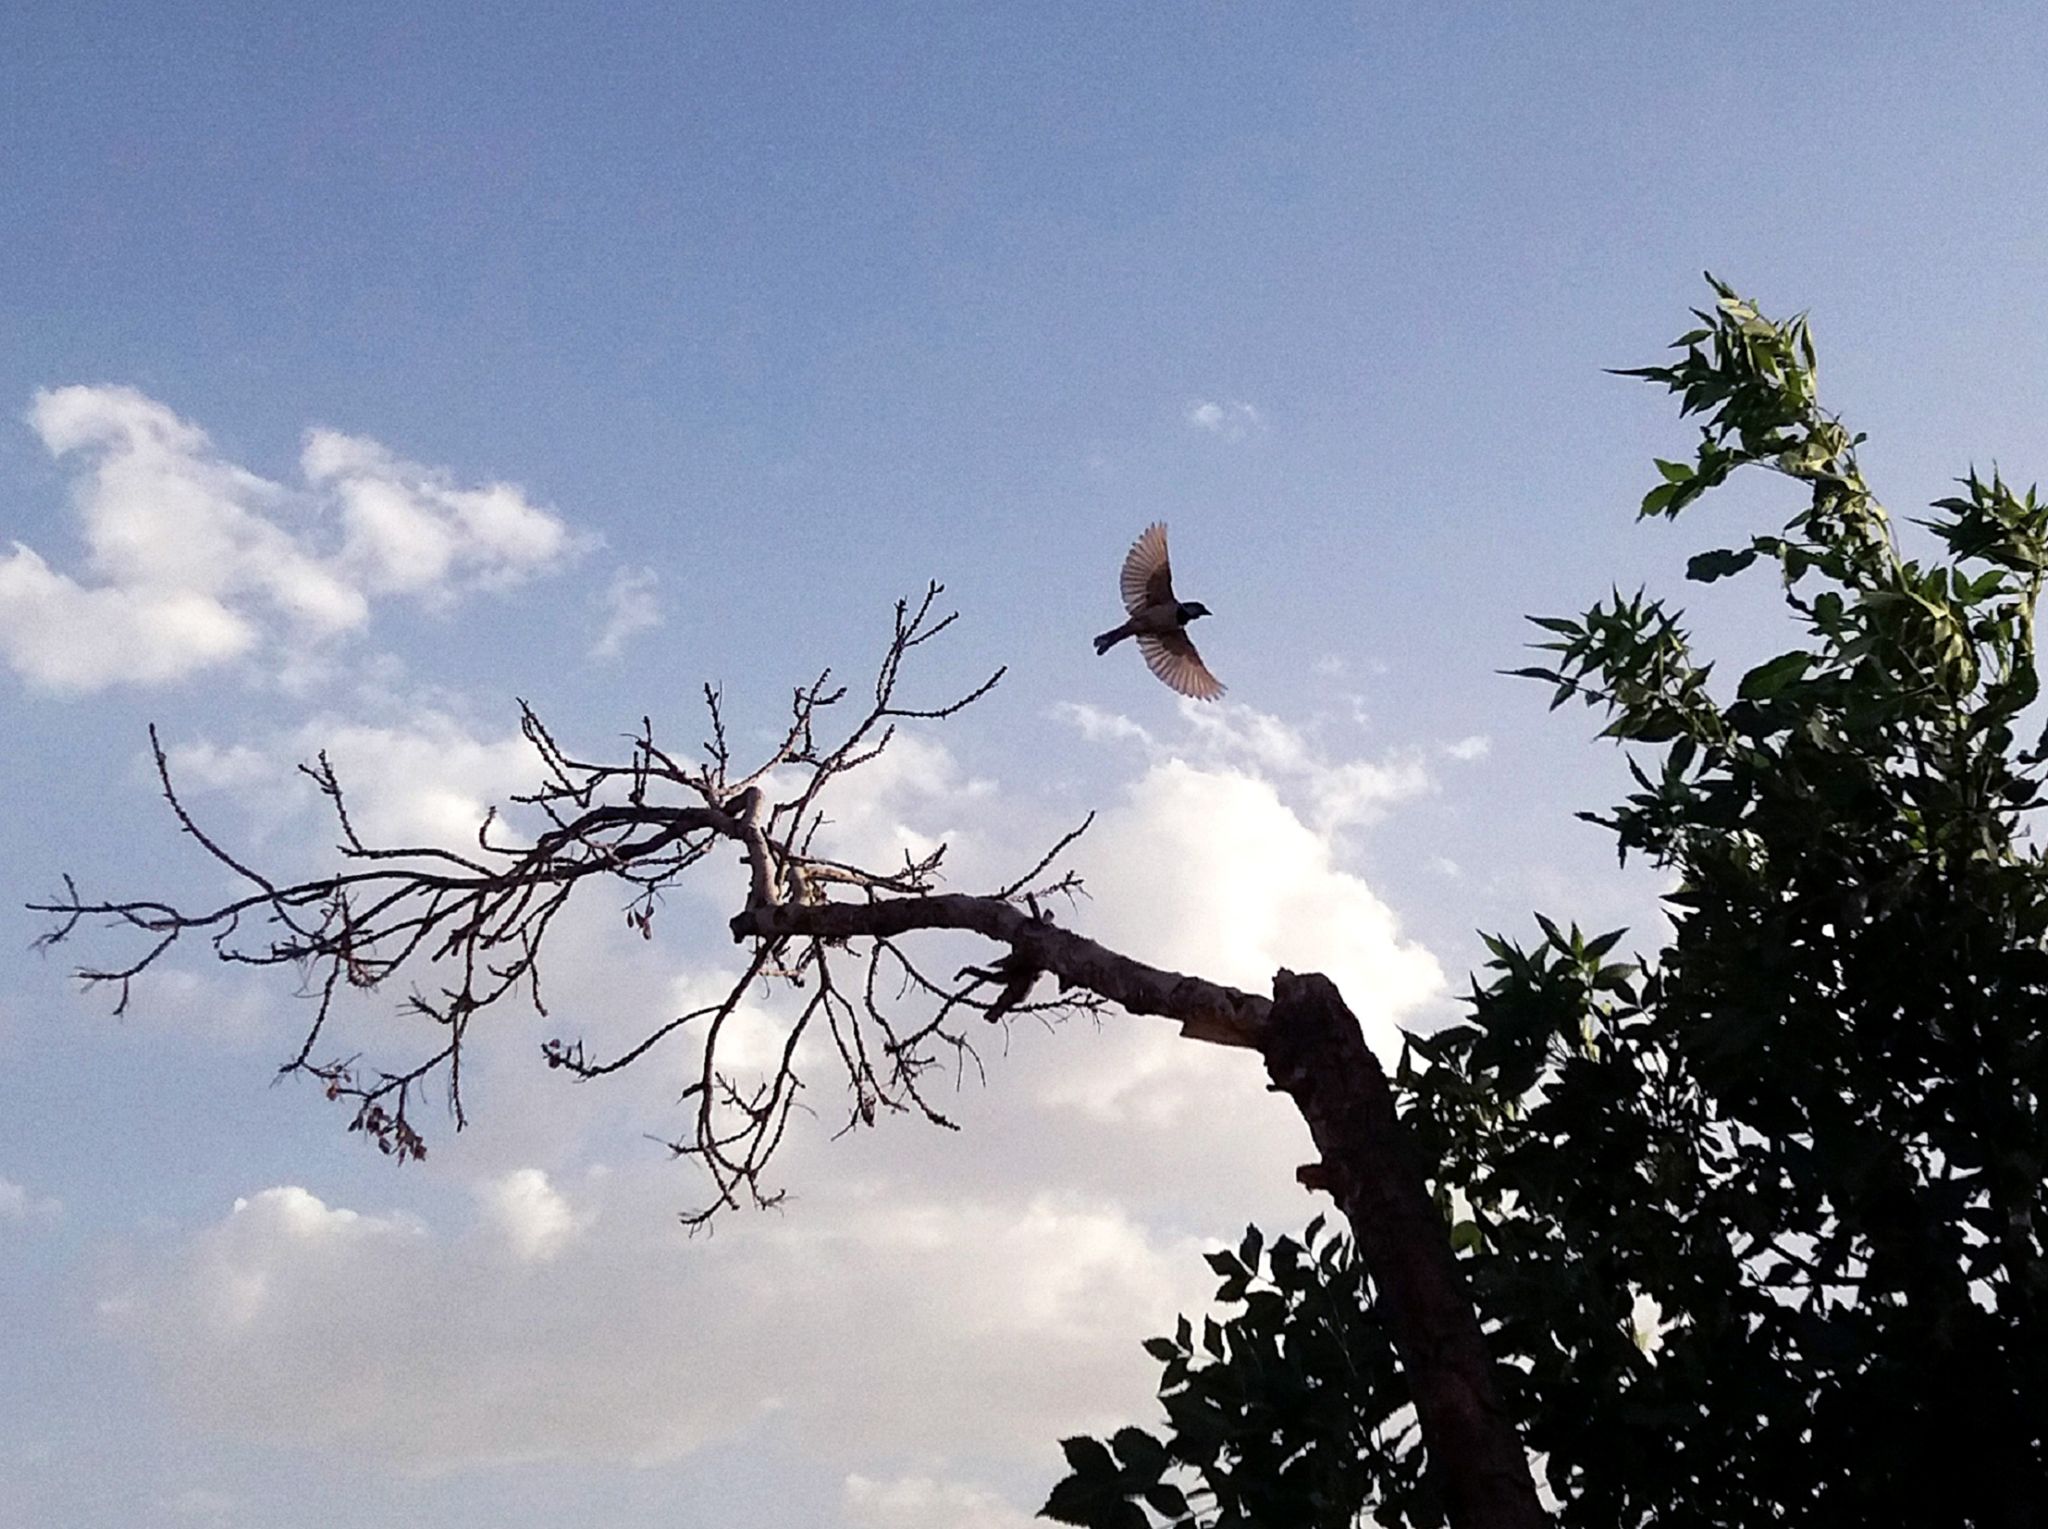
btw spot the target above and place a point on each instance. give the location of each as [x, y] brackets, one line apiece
[1318, 1055]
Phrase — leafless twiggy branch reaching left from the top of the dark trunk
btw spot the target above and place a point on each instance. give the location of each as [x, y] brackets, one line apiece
[468, 928]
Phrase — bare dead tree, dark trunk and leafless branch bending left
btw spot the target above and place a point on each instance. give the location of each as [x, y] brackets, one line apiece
[470, 930]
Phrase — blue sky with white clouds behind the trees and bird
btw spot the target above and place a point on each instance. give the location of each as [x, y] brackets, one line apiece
[370, 367]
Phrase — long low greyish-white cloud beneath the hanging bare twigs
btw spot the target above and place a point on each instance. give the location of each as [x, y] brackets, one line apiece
[415, 1348]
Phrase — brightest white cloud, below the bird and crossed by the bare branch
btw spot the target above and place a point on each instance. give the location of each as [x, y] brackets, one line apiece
[1224, 861]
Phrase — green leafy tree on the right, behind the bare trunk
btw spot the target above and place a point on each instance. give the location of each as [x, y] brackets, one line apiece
[1811, 1131]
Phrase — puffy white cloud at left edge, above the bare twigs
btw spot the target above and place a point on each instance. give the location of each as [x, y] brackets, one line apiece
[194, 562]
